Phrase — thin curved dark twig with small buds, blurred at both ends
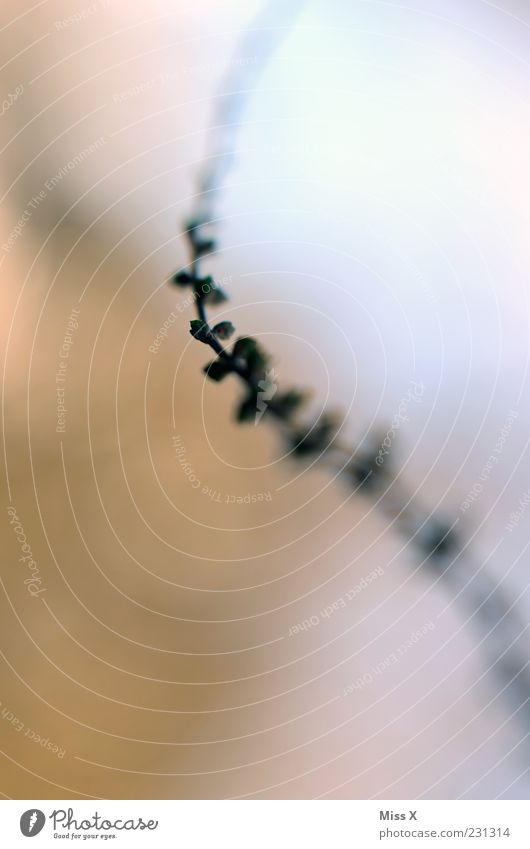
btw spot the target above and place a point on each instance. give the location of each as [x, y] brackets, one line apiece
[437, 539]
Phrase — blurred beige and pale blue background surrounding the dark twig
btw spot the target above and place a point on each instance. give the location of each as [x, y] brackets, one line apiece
[185, 613]
